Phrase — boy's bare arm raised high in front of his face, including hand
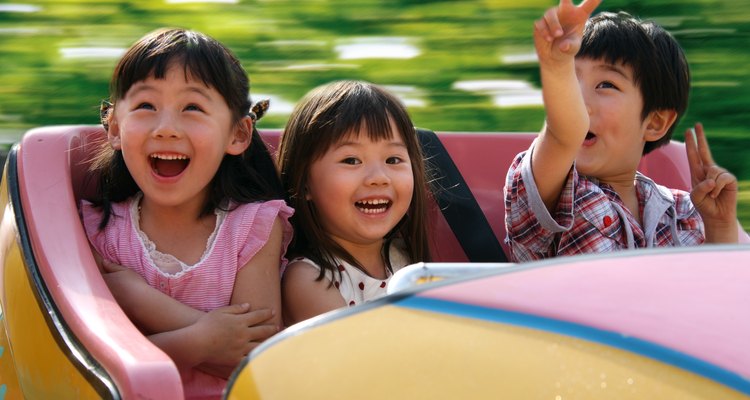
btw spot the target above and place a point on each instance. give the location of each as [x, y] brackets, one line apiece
[557, 38]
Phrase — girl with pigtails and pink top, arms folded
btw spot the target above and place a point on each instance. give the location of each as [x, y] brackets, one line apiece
[190, 200]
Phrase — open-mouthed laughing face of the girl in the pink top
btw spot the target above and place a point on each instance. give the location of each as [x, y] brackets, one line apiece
[174, 133]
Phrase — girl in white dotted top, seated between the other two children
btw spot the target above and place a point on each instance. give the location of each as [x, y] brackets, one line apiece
[352, 167]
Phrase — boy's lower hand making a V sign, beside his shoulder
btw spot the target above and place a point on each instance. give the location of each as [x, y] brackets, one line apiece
[714, 192]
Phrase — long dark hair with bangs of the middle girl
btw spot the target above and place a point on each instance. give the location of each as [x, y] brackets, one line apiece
[322, 118]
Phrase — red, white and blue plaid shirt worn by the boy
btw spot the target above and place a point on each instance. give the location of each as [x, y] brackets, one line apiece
[591, 218]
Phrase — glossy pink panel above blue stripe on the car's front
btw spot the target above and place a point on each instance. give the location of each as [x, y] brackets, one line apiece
[692, 300]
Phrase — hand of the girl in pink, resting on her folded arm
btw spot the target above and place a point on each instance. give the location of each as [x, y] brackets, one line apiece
[230, 333]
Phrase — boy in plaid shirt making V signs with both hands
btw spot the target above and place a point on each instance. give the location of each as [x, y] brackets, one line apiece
[613, 91]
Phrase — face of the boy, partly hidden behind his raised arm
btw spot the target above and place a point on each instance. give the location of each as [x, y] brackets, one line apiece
[617, 131]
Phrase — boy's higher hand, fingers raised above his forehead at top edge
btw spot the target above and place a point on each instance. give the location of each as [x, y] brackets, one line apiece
[557, 35]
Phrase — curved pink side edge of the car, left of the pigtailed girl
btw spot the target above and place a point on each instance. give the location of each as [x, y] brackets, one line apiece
[52, 164]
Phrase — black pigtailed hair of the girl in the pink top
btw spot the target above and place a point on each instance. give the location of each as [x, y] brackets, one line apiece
[248, 177]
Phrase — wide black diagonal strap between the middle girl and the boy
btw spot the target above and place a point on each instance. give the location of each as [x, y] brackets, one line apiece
[459, 207]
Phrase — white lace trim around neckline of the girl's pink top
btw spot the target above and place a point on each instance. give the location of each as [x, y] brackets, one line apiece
[159, 260]
